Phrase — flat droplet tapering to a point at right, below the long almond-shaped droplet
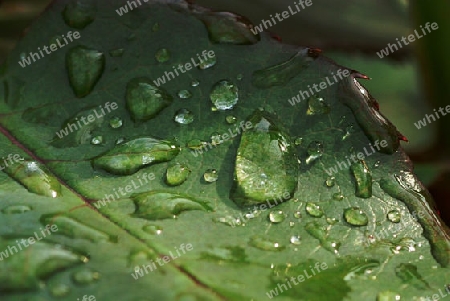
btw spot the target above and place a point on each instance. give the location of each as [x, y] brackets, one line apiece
[161, 205]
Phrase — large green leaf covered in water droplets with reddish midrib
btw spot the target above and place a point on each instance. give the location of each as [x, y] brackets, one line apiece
[143, 218]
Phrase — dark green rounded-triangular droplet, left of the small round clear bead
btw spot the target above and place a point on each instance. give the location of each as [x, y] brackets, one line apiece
[145, 100]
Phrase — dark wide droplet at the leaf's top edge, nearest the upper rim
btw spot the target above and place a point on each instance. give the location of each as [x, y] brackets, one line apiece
[228, 28]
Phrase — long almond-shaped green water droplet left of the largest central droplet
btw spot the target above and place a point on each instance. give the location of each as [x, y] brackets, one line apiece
[129, 157]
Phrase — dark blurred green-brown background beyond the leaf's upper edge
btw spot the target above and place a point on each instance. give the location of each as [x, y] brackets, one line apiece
[408, 83]
